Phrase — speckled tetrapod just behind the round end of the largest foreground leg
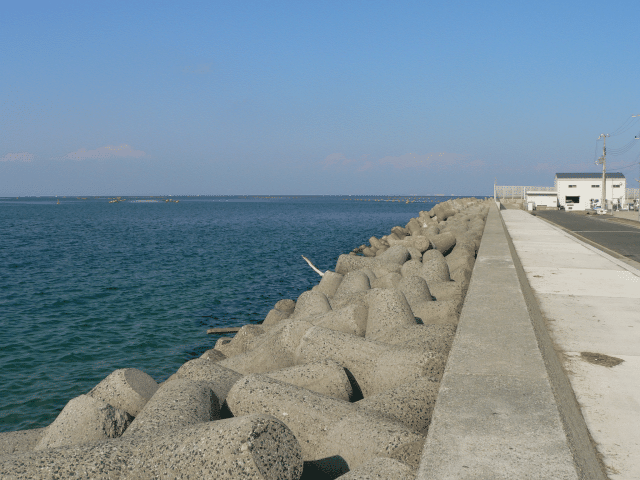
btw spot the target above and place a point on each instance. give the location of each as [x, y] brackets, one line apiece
[325, 427]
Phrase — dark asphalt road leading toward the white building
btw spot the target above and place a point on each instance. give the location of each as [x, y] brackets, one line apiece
[622, 239]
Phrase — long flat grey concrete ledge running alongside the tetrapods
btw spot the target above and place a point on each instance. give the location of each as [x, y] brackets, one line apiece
[496, 415]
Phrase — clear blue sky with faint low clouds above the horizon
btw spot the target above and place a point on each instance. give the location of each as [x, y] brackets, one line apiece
[293, 98]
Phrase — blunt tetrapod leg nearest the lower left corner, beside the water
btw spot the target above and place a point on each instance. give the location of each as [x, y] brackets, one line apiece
[84, 419]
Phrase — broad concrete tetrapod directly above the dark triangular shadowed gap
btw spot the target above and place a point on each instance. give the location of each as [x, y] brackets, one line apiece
[375, 366]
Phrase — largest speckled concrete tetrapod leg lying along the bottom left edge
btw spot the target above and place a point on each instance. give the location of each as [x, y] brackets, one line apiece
[253, 447]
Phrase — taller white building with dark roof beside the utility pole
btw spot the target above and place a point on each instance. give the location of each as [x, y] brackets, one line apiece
[579, 191]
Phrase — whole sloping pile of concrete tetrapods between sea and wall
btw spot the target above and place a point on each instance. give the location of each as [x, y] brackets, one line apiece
[343, 379]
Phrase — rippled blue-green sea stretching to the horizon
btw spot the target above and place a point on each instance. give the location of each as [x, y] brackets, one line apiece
[88, 286]
